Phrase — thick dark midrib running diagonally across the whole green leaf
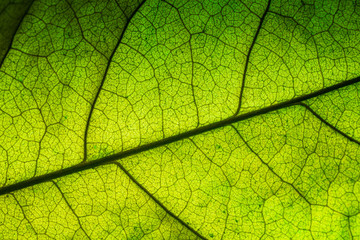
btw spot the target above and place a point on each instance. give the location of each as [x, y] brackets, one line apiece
[108, 159]
